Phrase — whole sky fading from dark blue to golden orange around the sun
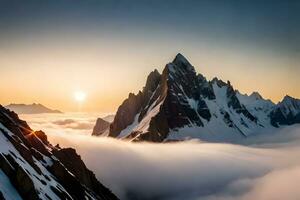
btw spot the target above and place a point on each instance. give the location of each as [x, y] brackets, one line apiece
[50, 49]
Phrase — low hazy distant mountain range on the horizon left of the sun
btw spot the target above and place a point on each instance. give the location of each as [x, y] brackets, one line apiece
[30, 109]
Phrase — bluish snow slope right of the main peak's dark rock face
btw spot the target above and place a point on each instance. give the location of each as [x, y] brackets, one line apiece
[218, 129]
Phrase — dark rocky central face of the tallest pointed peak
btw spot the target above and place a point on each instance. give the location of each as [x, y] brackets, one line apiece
[179, 83]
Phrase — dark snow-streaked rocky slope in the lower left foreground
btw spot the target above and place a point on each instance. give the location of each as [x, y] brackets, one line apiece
[38, 170]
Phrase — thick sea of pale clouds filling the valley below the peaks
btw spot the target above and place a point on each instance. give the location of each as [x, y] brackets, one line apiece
[263, 167]
